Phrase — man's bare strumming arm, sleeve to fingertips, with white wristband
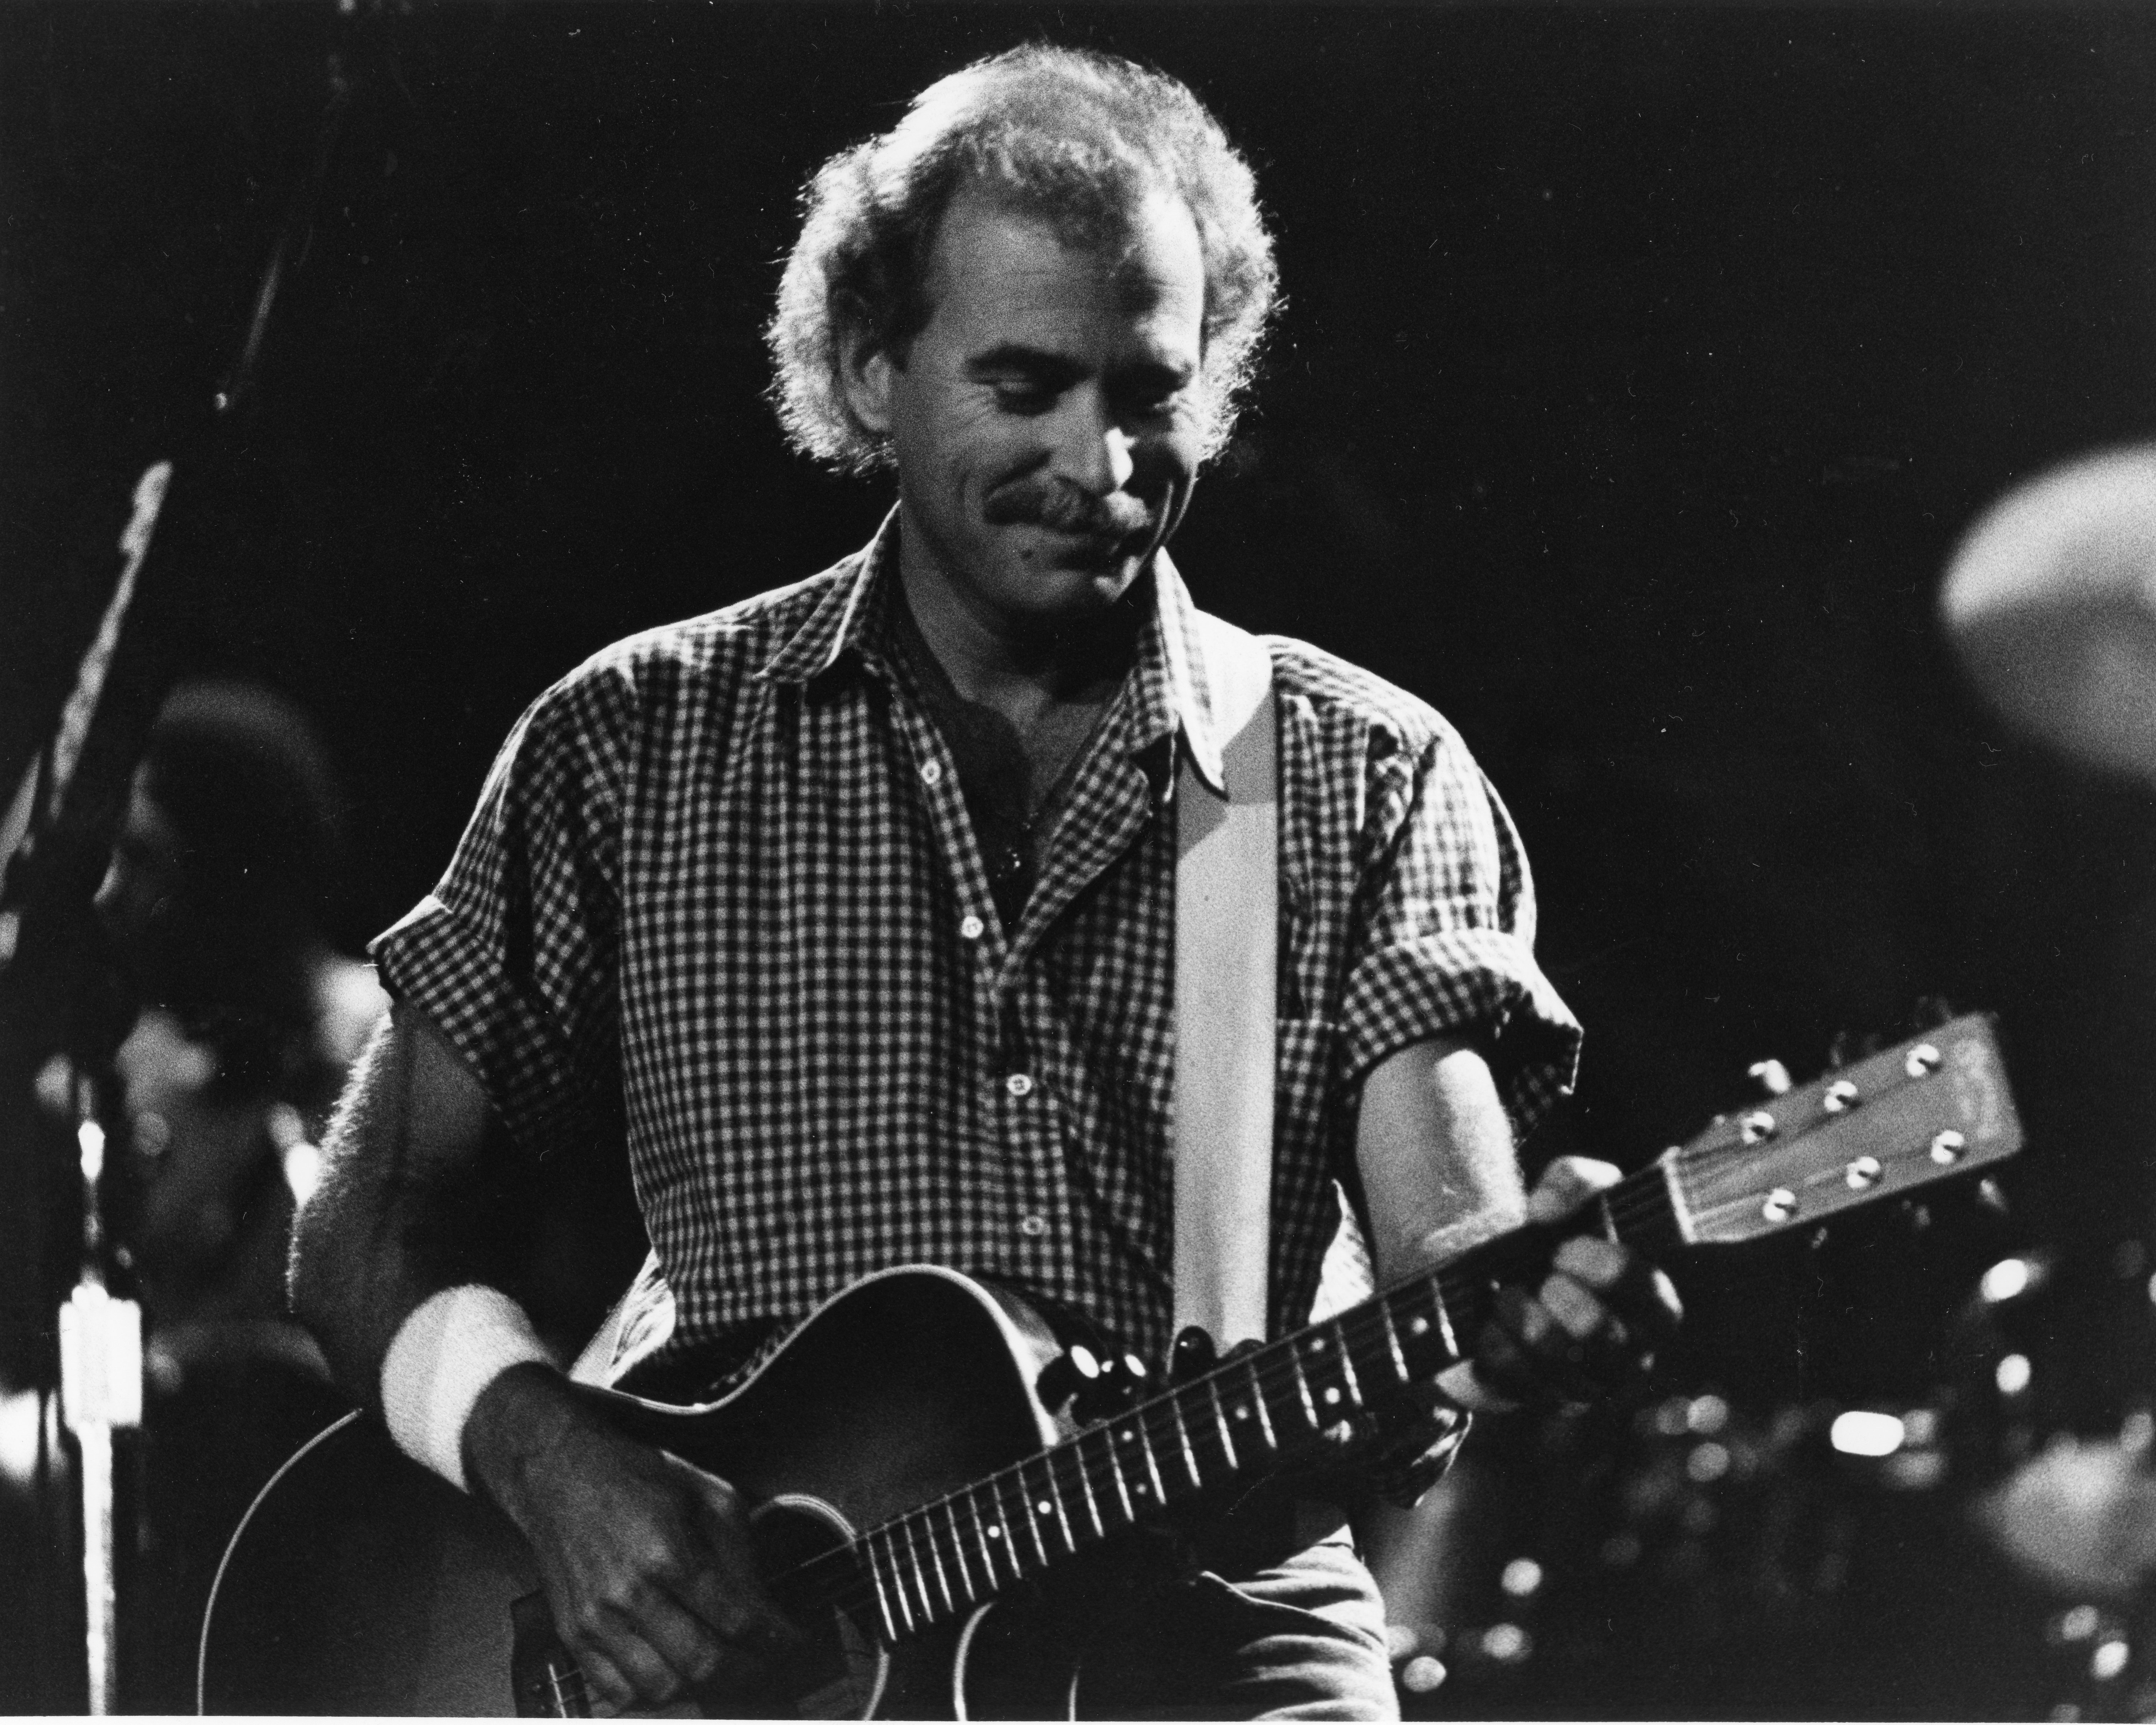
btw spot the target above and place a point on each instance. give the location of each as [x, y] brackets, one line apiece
[646, 1560]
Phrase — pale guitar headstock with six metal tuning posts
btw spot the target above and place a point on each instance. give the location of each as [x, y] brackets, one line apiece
[1926, 1109]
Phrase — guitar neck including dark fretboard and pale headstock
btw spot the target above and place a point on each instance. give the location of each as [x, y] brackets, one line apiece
[1898, 1120]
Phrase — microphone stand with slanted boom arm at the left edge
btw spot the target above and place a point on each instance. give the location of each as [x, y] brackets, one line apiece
[59, 1002]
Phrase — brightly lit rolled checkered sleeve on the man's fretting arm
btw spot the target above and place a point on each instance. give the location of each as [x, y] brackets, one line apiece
[1450, 939]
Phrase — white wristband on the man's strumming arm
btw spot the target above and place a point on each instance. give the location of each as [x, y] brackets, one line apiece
[445, 1355]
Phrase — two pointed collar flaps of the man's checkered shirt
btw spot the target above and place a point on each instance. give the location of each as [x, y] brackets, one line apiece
[1172, 682]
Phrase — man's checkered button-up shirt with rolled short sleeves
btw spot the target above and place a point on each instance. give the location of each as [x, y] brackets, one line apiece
[721, 896]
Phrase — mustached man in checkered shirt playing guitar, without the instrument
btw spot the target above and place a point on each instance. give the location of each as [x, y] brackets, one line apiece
[851, 909]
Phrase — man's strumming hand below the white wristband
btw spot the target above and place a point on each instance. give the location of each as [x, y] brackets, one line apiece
[646, 1560]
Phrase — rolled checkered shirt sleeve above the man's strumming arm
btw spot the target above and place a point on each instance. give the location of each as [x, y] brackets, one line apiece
[512, 956]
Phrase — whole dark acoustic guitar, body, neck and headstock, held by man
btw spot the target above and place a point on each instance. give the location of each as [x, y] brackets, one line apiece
[926, 1515]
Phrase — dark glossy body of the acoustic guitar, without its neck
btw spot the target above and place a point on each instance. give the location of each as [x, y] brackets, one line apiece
[361, 1584]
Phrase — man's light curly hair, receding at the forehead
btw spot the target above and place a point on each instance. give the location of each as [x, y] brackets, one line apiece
[1077, 137]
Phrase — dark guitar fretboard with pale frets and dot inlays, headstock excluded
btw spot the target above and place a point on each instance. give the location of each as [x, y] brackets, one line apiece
[1234, 1422]
